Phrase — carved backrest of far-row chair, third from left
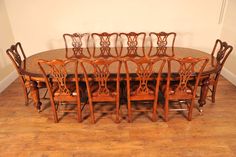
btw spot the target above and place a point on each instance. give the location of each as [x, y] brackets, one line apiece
[132, 41]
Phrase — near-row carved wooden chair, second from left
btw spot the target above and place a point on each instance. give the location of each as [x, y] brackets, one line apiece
[102, 78]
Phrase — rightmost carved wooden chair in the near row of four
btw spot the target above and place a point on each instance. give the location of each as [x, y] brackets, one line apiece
[182, 82]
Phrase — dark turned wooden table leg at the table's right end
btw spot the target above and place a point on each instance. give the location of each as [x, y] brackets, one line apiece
[203, 94]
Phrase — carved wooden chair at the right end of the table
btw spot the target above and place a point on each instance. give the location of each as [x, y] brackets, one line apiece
[221, 52]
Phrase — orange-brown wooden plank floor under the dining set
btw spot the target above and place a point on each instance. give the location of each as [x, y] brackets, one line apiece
[24, 132]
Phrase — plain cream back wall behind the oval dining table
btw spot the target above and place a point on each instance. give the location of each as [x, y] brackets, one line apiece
[39, 24]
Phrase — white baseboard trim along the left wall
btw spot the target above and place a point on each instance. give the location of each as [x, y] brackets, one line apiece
[8, 80]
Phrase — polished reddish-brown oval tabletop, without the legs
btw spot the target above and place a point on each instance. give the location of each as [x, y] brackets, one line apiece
[32, 68]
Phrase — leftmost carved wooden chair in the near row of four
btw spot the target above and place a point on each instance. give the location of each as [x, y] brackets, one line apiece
[61, 77]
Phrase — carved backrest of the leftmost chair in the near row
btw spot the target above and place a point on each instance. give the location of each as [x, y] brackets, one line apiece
[59, 75]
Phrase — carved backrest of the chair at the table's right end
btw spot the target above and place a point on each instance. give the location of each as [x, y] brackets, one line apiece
[221, 51]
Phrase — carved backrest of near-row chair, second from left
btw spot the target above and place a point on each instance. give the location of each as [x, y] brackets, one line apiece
[100, 72]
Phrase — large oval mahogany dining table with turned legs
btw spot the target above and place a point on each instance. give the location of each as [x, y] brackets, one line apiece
[33, 74]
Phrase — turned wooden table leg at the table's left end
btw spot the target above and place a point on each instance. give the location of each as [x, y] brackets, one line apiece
[35, 95]
